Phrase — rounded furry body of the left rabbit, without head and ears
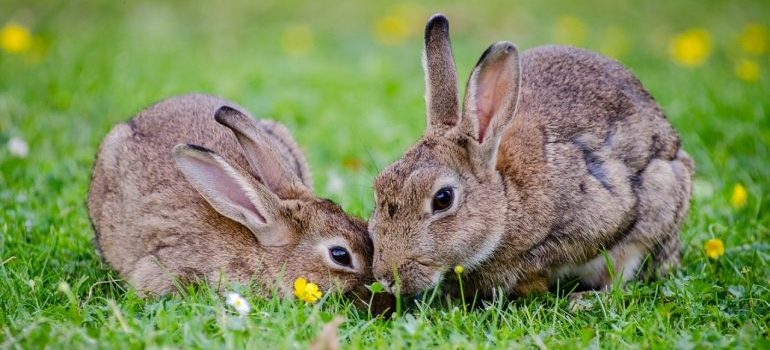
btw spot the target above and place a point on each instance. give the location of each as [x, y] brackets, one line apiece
[149, 223]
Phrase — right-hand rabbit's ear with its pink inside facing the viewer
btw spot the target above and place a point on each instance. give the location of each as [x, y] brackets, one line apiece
[492, 94]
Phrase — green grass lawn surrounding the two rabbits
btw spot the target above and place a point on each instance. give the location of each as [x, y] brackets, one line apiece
[355, 105]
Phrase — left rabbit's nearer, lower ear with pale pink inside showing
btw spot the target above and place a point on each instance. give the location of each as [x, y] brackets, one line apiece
[232, 193]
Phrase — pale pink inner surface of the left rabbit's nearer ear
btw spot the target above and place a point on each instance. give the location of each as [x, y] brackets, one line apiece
[222, 184]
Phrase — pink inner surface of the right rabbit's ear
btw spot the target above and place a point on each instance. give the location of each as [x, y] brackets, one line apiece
[490, 92]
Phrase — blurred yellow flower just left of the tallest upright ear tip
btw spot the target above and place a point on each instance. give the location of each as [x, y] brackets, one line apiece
[399, 23]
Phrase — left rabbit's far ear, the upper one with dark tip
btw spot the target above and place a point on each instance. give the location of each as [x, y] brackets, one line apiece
[271, 167]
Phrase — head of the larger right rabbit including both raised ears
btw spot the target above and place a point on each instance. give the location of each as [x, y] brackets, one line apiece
[443, 203]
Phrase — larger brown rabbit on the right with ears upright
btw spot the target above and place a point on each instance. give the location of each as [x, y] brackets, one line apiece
[556, 156]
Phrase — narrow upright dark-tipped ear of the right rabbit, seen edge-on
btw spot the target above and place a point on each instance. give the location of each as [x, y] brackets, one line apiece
[440, 75]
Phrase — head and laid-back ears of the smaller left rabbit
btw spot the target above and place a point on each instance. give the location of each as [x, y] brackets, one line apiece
[302, 235]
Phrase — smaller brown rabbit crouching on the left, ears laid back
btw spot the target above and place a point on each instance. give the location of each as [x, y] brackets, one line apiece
[164, 207]
